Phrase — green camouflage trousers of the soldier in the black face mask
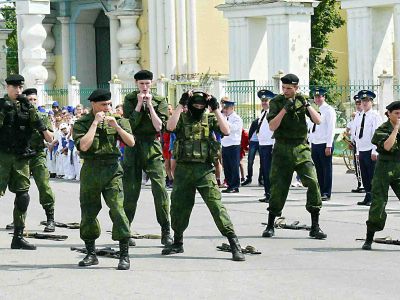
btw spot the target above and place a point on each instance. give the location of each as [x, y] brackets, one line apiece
[190, 177]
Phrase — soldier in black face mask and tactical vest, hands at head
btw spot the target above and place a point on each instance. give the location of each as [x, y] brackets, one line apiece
[195, 150]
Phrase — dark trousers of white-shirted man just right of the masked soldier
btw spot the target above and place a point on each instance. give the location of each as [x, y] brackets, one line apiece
[231, 162]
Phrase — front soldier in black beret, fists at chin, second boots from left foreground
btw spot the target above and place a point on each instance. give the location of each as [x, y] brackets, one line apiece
[95, 135]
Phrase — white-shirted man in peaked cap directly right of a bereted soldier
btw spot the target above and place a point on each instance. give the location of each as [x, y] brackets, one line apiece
[321, 138]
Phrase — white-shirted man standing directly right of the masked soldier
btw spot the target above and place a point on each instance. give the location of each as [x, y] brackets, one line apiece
[231, 148]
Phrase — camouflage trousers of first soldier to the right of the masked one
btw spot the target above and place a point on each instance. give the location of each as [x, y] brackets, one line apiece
[287, 158]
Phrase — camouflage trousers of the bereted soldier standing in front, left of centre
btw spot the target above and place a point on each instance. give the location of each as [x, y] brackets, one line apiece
[103, 177]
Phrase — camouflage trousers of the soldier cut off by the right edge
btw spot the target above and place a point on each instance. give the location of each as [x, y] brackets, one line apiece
[387, 174]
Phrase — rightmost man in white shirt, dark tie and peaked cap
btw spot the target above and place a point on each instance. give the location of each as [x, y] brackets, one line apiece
[366, 151]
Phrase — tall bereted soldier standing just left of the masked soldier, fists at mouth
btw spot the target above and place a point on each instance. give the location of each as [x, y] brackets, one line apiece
[148, 115]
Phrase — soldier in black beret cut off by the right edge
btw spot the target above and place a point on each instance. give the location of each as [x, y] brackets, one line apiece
[387, 171]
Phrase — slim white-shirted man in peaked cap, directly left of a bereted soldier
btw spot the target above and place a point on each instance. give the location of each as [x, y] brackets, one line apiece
[265, 141]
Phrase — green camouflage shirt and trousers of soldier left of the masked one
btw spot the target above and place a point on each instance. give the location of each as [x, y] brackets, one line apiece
[145, 156]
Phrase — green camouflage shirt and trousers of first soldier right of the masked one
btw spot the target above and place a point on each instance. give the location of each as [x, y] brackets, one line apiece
[291, 153]
